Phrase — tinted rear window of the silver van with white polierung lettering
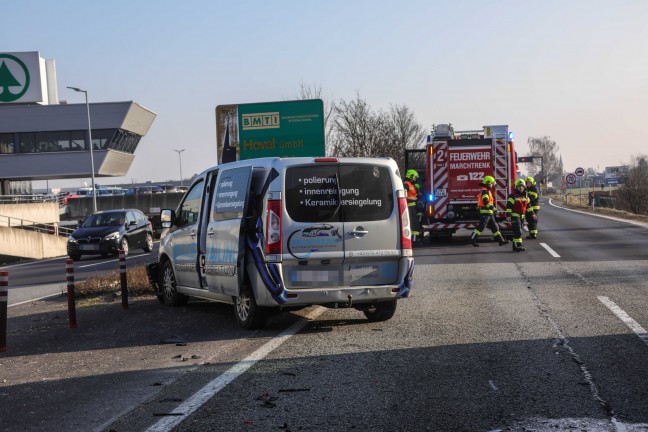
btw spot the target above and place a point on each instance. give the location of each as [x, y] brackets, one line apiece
[339, 193]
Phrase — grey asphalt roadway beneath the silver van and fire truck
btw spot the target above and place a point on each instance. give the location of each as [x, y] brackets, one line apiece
[549, 339]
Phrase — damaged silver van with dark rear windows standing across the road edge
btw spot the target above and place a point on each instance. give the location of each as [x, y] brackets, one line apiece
[286, 233]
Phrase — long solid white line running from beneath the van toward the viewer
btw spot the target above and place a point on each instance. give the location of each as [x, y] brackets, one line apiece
[220, 382]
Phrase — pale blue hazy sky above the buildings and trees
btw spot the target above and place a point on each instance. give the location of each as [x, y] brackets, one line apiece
[573, 70]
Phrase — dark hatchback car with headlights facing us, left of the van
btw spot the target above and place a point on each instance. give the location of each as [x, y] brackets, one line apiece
[107, 232]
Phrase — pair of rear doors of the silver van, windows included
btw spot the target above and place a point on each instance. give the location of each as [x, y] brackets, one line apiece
[342, 228]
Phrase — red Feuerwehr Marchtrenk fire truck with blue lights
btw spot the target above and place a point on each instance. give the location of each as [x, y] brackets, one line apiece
[451, 167]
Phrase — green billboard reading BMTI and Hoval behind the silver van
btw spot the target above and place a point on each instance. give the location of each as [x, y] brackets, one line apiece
[285, 129]
